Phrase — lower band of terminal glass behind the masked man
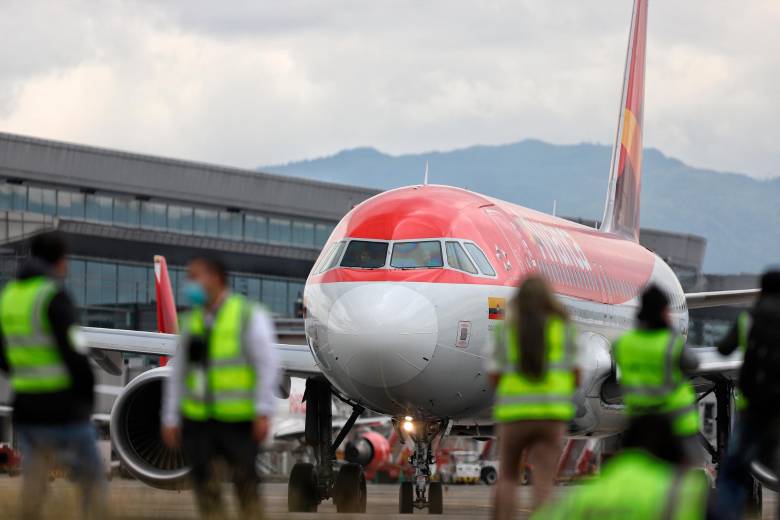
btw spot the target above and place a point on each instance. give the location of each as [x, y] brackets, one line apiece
[107, 283]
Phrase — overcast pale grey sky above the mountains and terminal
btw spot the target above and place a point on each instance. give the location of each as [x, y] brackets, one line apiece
[256, 82]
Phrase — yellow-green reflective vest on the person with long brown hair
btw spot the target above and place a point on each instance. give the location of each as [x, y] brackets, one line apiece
[519, 397]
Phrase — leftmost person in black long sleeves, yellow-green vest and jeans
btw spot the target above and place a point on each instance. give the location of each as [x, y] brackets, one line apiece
[53, 383]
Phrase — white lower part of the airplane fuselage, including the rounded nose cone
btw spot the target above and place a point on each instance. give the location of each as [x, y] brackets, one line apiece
[396, 347]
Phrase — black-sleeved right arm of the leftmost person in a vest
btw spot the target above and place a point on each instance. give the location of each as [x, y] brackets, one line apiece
[63, 325]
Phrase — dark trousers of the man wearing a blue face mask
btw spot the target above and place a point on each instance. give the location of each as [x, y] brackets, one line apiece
[204, 444]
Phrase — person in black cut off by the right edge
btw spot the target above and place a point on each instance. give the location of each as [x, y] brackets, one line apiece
[757, 334]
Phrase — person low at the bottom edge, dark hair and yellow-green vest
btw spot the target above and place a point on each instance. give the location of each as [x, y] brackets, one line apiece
[647, 481]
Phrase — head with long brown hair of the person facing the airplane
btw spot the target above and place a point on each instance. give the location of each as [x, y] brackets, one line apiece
[529, 310]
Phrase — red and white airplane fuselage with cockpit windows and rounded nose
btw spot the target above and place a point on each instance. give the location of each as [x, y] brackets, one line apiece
[408, 335]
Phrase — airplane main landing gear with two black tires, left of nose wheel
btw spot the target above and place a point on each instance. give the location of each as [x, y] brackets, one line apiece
[310, 484]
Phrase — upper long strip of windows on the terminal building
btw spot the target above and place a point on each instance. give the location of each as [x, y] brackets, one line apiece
[123, 210]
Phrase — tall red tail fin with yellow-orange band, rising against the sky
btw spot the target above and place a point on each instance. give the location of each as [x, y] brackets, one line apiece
[621, 214]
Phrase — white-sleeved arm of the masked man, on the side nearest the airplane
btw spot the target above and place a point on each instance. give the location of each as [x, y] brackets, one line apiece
[260, 340]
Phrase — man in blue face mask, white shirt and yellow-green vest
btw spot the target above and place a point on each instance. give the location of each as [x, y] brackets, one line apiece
[219, 400]
